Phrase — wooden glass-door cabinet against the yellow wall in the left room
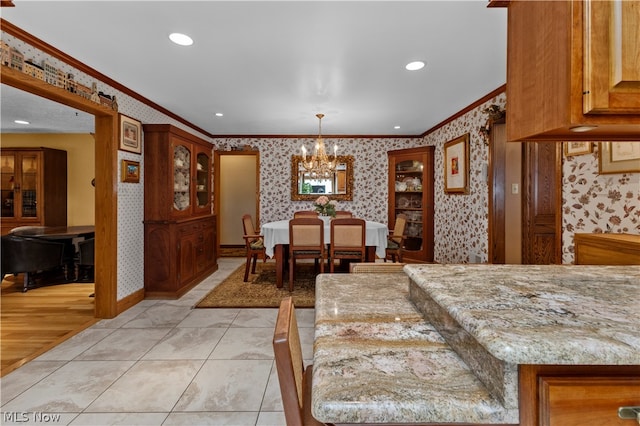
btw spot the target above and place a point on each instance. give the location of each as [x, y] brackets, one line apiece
[34, 187]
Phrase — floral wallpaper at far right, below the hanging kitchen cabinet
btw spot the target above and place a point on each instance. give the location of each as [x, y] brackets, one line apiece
[596, 203]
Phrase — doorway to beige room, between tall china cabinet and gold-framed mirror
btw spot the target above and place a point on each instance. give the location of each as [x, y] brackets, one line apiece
[237, 192]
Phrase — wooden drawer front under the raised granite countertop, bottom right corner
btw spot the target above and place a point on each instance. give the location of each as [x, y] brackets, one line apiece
[569, 401]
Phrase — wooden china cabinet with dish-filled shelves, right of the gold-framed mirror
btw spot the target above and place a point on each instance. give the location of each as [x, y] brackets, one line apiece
[411, 194]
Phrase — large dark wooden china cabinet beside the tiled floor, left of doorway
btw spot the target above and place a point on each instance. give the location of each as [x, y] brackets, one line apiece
[179, 226]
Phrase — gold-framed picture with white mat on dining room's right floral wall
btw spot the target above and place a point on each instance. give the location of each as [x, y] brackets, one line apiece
[456, 165]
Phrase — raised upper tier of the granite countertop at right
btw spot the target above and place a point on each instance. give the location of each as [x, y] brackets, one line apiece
[542, 314]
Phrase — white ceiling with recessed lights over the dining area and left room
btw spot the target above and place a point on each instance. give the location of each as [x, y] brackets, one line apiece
[271, 66]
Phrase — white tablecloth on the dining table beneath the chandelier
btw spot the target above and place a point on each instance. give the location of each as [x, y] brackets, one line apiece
[278, 233]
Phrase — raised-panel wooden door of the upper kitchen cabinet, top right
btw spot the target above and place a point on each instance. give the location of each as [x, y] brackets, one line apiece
[612, 57]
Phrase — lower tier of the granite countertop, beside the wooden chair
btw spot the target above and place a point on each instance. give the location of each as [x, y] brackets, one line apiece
[377, 360]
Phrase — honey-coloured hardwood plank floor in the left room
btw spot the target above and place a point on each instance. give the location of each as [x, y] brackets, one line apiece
[31, 323]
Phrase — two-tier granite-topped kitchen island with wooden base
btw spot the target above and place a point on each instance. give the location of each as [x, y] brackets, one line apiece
[479, 344]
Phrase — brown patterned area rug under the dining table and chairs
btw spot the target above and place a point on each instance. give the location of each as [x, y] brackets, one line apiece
[261, 291]
